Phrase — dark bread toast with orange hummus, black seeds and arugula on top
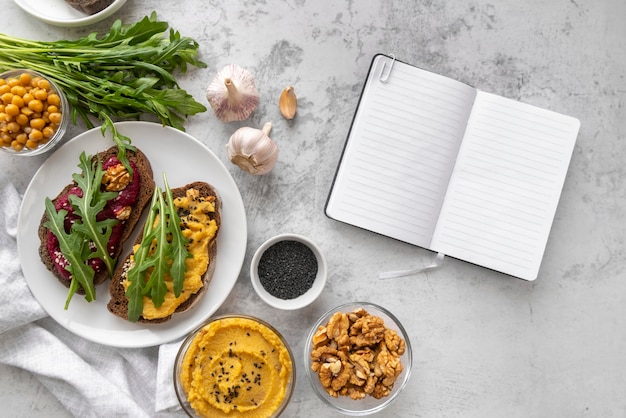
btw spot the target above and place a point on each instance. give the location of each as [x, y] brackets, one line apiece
[145, 287]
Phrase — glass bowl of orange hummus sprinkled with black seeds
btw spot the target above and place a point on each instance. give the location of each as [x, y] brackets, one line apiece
[234, 366]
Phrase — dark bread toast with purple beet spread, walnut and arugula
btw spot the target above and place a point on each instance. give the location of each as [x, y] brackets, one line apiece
[83, 229]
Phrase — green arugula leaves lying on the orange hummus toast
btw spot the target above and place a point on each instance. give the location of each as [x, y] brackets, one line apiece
[163, 250]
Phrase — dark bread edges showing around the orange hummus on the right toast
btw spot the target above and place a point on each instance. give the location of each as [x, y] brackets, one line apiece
[118, 305]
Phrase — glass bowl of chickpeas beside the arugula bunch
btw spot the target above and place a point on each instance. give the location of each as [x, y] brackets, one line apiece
[34, 112]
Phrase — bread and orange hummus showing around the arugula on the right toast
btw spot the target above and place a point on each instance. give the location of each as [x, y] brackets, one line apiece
[199, 208]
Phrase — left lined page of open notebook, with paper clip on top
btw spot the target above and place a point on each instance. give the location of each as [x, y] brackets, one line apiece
[400, 151]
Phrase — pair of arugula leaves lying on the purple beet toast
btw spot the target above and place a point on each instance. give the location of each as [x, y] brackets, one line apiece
[88, 237]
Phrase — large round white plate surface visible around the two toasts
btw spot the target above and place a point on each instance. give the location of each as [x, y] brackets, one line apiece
[183, 159]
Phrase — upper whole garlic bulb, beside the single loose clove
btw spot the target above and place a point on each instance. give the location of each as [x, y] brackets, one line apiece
[232, 94]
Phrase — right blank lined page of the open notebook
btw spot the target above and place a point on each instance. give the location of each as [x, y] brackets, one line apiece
[506, 185]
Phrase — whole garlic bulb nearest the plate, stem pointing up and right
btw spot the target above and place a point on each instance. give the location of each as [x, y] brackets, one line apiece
[253, 150]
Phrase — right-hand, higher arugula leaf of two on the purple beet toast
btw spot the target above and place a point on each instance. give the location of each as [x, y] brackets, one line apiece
[90, 205]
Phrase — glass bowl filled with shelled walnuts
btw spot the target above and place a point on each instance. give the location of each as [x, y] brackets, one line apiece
[358, 358]
